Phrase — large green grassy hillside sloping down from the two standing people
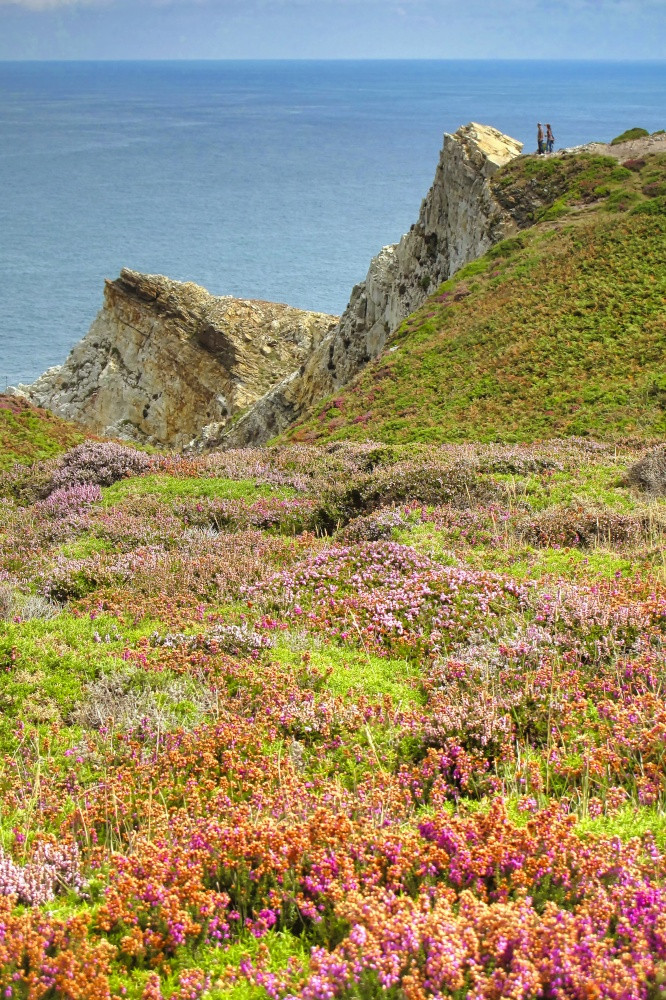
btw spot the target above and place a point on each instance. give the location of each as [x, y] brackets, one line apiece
[560, 330]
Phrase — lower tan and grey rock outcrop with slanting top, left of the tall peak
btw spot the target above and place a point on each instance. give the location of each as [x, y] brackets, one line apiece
[163, 359]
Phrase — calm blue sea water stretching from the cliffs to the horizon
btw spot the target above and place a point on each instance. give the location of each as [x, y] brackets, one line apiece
[274, 180]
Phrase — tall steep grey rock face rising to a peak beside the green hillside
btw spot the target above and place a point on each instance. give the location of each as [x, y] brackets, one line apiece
[459, 220]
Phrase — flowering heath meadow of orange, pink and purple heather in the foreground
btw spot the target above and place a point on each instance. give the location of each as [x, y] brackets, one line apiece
[343, 722]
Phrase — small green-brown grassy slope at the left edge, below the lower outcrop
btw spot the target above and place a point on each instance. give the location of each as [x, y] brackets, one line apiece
[29, 434]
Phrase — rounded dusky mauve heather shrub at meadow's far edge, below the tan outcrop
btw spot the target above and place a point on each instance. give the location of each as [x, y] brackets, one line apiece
[99, 462]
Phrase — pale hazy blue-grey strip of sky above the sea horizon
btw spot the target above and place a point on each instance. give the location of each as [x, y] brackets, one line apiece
[333, 29]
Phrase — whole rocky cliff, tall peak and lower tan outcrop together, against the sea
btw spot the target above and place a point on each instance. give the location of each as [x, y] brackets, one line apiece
[166, 363]
